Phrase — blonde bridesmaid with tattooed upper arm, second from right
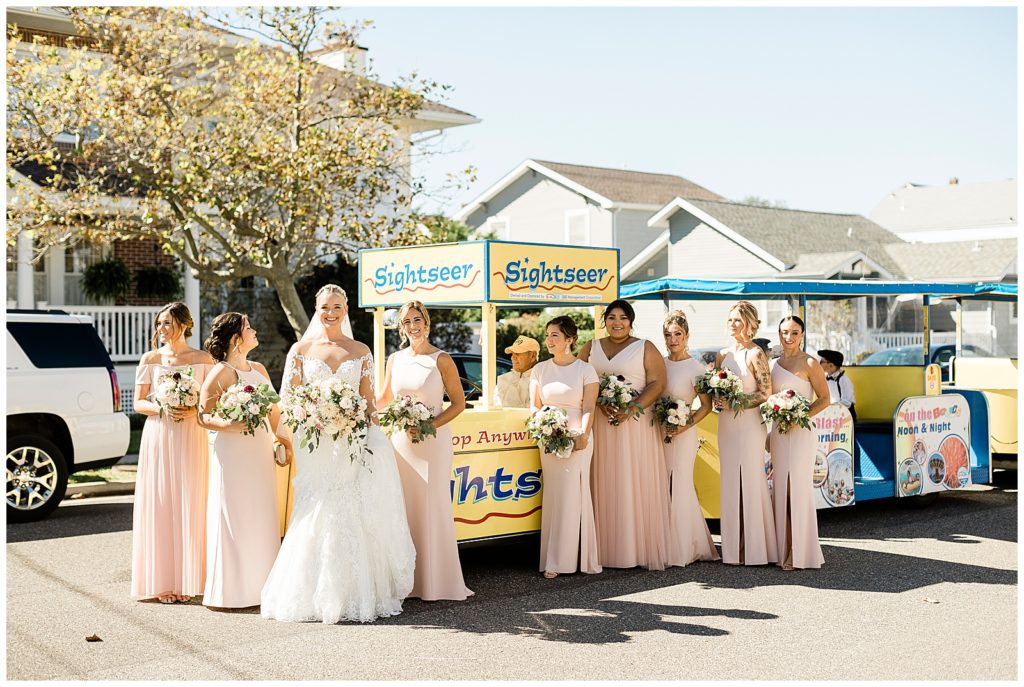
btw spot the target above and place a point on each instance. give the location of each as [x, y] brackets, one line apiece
[747, 521]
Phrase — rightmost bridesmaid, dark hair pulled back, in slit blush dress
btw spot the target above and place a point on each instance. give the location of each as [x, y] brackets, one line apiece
[793, 453]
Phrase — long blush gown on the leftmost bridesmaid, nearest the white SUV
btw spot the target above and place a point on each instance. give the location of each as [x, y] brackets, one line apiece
[169, 516]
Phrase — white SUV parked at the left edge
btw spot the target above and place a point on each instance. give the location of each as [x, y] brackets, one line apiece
[64, 409]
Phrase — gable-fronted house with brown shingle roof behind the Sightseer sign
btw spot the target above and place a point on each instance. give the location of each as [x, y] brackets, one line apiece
[559, 203]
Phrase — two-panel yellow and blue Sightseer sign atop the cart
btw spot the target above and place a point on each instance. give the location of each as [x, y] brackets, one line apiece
[483, 272]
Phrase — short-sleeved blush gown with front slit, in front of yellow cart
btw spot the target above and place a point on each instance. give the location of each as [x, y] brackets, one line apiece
[569, 540]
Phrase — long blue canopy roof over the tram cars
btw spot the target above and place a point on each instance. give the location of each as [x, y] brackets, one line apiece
[819, 290]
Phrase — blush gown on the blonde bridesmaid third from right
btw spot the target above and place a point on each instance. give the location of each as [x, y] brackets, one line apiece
[690, 539]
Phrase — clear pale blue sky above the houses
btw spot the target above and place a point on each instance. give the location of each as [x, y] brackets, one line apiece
[826, 109]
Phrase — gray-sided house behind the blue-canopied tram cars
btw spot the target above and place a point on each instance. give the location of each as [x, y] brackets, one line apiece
[703, 239]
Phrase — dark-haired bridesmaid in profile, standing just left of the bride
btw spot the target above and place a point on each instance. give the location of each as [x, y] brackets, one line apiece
[243, 532]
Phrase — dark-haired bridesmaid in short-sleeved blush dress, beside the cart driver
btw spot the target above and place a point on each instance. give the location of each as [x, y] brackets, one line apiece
[569, 541]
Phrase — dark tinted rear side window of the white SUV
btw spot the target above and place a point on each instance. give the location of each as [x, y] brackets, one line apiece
[61, 345]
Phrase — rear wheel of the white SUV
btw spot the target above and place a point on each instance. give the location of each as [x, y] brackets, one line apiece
[37, 478]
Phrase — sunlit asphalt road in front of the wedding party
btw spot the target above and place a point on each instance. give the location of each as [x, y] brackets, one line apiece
[906, 594]
